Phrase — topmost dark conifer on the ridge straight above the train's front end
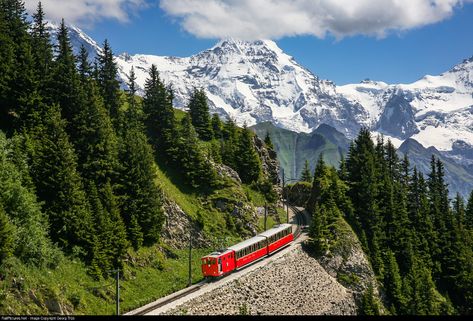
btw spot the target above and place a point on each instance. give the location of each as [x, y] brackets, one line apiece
[199, 111]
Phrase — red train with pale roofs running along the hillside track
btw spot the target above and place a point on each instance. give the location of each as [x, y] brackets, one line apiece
[236, 256]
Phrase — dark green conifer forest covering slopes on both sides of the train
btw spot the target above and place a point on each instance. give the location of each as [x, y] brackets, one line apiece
[79, 157]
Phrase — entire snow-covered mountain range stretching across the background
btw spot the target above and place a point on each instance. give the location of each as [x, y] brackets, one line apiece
[256, 81]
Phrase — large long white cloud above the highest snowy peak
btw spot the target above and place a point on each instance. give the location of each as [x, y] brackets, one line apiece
[273, 19]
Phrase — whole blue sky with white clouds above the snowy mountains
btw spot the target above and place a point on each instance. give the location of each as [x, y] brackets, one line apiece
[357, 43]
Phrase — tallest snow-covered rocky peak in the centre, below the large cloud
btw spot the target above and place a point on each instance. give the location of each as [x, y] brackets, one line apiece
[253, 82]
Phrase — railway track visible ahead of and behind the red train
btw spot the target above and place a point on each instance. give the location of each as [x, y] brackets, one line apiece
[300, 221]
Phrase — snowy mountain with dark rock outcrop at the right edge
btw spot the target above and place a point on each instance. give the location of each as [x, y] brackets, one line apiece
[435, 110]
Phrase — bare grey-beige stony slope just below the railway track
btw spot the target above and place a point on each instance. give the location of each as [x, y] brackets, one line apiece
[294, 284]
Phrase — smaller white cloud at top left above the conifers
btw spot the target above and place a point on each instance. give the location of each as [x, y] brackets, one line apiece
[86, 12]
